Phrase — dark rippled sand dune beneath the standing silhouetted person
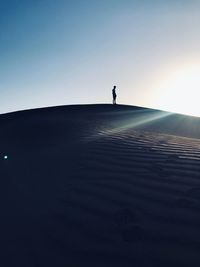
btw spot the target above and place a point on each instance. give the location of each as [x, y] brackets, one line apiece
[99, 185]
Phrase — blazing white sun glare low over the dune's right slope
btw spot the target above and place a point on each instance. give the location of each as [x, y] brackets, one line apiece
[180, 92]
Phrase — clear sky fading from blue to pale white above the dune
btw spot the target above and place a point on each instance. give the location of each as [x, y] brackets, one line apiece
[57, 52]
